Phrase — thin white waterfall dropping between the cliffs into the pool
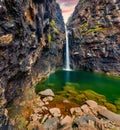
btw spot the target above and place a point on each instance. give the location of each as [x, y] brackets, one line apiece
[67, 66]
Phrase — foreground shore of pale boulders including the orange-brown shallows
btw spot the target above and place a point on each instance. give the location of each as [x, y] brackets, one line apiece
[66, 116]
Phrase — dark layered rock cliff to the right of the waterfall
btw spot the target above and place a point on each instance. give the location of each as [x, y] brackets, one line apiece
[95, 34]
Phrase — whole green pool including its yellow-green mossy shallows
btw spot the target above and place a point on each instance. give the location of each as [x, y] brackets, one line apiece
[79, 86]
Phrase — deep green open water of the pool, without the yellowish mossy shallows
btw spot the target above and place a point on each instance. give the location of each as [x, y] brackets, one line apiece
[80, 81]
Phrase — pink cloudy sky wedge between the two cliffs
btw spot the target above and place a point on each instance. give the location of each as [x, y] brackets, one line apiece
[67, 7]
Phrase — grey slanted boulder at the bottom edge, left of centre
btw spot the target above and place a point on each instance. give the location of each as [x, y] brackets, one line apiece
[51, 124]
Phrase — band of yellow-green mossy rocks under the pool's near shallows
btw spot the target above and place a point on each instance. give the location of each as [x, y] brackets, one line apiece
[80, 97]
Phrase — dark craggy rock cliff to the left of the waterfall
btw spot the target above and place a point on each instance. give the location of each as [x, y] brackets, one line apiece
[31, 45]
